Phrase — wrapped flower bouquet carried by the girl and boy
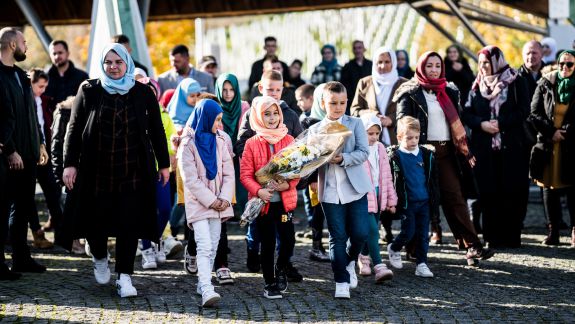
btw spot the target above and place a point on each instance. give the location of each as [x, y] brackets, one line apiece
[302, 157]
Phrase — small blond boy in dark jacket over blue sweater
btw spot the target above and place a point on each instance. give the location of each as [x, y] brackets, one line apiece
[416, 182]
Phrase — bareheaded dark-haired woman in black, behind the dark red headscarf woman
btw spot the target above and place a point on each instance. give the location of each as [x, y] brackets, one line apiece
[458, 71]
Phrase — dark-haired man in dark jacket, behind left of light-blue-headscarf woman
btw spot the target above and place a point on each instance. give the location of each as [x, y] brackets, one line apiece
[65, 78]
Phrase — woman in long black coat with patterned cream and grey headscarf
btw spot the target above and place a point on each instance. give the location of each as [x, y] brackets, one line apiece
[495, 112]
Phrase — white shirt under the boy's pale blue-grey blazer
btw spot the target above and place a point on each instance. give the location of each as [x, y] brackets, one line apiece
[338, 188]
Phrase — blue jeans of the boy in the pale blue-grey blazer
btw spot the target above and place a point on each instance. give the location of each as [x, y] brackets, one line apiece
[347, 221]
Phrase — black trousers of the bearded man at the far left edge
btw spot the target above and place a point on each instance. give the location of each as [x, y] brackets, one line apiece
[20, 193]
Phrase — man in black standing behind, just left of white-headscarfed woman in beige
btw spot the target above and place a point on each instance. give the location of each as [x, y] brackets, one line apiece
[354, 70]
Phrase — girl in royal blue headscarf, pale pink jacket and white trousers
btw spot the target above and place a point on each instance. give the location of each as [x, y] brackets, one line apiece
[207, 172]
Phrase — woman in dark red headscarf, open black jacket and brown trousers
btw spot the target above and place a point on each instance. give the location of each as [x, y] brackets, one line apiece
[435, 103]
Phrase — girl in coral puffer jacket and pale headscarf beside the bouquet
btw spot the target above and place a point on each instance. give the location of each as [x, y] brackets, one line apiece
[266, 119]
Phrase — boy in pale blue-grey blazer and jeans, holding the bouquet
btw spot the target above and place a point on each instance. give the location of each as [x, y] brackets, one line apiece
[342, 188]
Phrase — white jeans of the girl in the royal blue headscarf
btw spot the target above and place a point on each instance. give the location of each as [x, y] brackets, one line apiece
[207, 236]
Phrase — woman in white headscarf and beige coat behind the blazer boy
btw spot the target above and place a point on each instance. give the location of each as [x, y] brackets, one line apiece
[374, 92]
